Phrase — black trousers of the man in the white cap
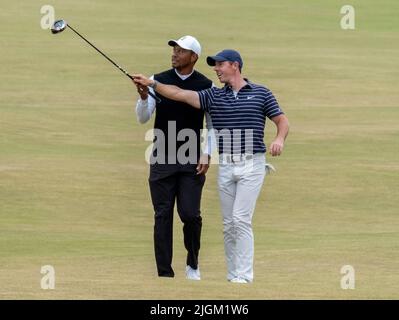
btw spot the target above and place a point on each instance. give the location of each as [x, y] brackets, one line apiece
[170, 183]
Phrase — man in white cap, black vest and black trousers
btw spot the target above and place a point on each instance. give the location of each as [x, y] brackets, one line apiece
[170, 180]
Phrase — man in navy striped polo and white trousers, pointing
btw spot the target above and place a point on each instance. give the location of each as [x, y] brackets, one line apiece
[238, 112]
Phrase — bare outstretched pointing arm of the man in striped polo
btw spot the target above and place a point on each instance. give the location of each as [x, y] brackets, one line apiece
[169, 91]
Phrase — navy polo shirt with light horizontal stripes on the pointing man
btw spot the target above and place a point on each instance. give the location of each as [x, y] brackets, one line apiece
[239, 121]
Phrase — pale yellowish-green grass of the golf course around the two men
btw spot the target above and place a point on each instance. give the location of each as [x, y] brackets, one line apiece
[73, 179]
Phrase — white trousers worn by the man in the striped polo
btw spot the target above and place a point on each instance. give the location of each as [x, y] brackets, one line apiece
[239, 186]
